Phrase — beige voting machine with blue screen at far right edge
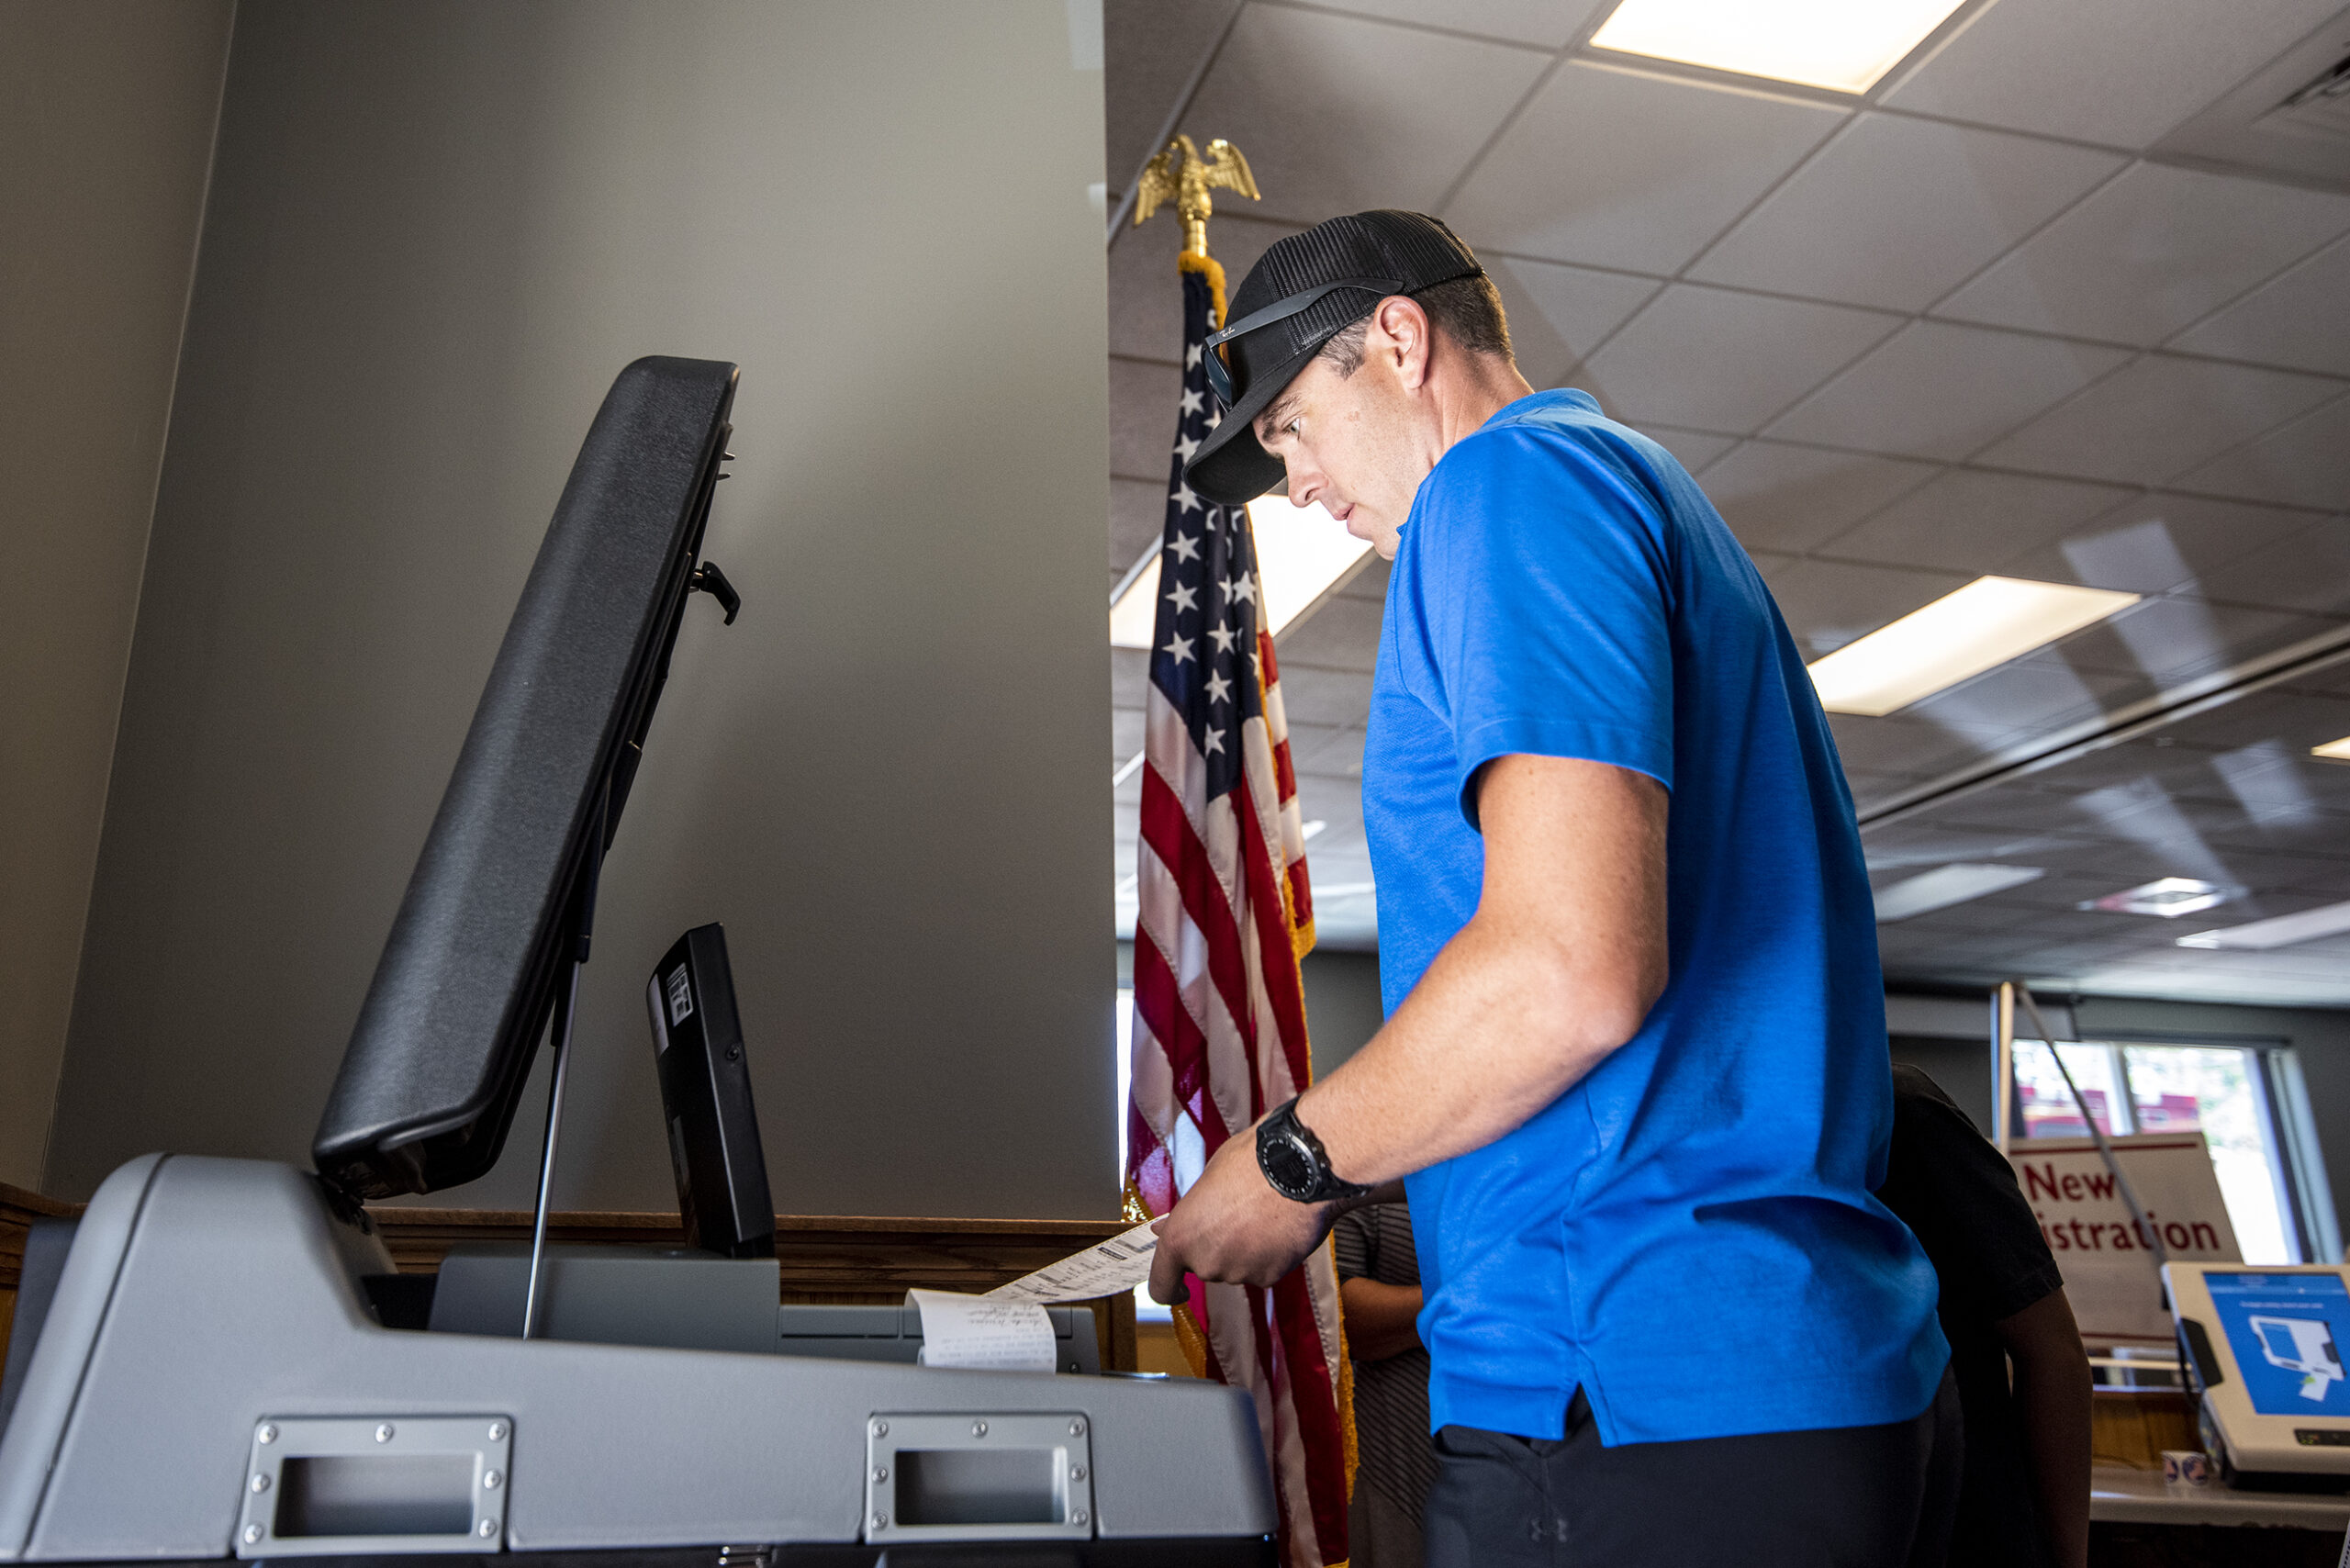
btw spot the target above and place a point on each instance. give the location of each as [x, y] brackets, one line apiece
[2264, 1365]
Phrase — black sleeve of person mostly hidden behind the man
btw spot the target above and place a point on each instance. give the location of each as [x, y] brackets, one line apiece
[1961, 1198]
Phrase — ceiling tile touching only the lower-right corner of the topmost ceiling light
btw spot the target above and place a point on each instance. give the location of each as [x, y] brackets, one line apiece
[1898, 213]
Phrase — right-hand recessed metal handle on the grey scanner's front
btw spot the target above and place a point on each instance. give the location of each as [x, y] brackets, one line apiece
[979, 1477]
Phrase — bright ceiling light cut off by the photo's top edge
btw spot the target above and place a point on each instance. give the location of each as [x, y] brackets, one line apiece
[1841, 46]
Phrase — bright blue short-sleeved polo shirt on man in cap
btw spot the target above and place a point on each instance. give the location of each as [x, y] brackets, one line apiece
[1688, 1235]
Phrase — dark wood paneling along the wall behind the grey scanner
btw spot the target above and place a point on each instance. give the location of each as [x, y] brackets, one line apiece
[826, 1259]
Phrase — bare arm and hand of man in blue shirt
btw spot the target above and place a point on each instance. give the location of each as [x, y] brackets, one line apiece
[1552, 974]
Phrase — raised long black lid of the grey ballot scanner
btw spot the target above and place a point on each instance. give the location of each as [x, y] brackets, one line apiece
[502, 892]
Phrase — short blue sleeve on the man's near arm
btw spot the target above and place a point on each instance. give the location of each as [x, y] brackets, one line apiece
[1547, 605]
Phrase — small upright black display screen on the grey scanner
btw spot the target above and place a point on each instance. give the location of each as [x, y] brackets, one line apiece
[706, 1099]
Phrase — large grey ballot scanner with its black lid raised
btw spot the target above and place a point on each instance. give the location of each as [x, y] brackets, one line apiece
[229, 1365]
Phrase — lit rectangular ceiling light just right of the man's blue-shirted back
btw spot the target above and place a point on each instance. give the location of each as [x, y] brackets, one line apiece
[1961, 634]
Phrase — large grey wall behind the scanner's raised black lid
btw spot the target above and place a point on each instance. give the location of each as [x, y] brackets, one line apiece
[436, 234]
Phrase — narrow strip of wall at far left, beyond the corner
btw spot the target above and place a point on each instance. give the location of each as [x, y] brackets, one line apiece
[107, 114]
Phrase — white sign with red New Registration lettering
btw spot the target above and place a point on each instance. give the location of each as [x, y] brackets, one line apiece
[2109, 1266]
